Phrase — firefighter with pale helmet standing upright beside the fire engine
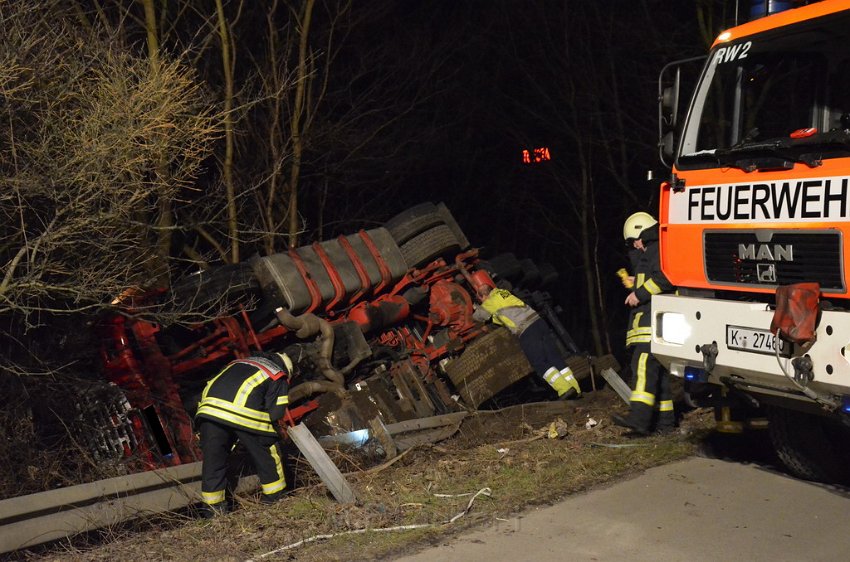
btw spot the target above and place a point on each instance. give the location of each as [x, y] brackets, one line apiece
[651, 401]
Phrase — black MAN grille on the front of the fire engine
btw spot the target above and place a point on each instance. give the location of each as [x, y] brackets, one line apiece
[771, 258]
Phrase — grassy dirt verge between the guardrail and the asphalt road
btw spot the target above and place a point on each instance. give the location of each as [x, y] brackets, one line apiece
[497, 464]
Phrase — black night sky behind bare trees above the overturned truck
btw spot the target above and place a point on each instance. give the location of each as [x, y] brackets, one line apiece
[579, 78]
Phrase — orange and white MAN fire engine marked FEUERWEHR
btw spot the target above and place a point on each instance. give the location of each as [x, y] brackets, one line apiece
[755, 214]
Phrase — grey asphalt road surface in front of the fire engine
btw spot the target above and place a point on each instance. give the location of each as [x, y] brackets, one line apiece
[694, 510]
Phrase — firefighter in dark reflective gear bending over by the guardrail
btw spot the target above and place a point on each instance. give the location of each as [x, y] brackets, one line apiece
[242, 403]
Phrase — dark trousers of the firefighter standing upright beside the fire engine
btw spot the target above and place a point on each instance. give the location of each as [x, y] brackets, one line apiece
[651, 400]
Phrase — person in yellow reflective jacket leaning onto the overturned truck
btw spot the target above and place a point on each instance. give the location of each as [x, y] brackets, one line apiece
[535, 337]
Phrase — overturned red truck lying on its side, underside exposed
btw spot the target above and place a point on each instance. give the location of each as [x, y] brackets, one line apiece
[378, 322]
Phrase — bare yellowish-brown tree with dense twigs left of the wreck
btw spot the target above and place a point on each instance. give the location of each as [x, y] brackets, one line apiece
[94, 139]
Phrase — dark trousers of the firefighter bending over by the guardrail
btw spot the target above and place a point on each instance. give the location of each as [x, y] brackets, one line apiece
[217, 440]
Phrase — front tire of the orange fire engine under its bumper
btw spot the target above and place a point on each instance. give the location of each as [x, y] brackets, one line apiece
[807, 445]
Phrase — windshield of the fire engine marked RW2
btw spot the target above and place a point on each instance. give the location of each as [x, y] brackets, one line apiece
[758, 90]
